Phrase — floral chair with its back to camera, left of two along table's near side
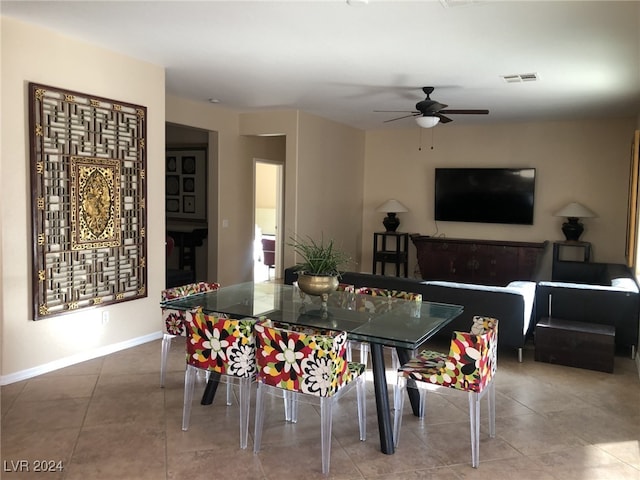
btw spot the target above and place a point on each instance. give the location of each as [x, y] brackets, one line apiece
[226, 348]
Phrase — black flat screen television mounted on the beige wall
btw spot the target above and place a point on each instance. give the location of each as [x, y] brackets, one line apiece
[485, 195]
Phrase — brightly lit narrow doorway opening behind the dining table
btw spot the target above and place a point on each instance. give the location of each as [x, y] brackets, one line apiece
[268, 184]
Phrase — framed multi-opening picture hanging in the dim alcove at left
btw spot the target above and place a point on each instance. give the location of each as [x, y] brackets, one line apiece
[186, 184]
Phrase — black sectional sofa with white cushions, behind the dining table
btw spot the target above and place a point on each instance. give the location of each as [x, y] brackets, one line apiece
[595, 293]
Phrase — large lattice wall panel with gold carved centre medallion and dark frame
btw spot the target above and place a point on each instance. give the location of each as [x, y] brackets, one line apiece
[88, 164]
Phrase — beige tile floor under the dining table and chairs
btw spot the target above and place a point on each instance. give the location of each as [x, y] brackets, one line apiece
[108, 418]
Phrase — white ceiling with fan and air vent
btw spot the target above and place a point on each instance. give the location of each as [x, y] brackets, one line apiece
[343, 61]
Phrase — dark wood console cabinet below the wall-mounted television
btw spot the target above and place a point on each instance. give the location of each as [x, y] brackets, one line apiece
[487, 262]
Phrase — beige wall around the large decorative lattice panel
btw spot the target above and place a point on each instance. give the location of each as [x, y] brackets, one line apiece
[32, 54]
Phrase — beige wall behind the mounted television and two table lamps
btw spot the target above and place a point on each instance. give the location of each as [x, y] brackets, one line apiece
[584, 161]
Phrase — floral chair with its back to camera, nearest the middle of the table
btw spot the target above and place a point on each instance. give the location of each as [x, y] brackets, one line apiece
[312, 367]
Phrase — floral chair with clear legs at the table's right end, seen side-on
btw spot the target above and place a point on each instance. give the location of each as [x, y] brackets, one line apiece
[470, 366]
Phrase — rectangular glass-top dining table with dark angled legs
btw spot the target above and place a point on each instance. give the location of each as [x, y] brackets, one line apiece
[380, 321]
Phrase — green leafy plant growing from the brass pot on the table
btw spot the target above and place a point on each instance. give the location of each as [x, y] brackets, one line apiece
[318, 258]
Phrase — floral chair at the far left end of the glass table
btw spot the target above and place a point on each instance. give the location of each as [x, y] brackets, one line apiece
[173, 320]
